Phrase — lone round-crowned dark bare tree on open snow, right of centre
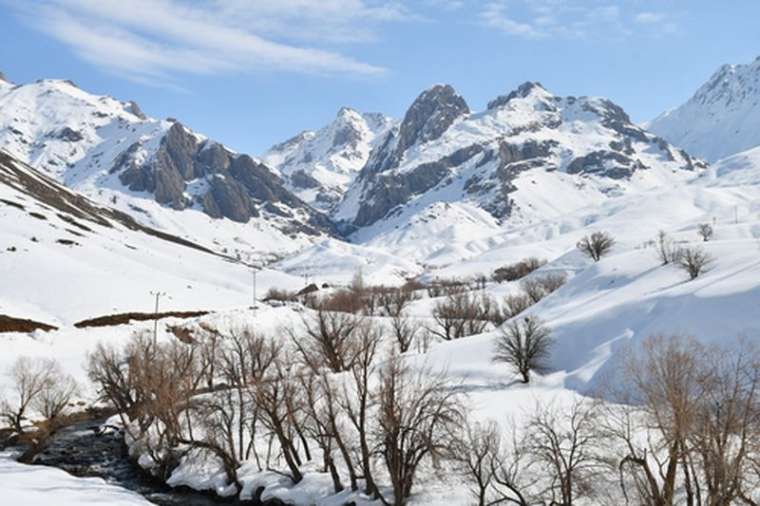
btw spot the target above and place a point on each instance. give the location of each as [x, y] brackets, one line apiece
[524, 344]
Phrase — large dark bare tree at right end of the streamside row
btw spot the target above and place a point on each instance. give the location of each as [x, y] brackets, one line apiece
[417, 415]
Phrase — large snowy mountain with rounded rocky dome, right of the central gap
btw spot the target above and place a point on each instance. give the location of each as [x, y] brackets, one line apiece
[446, 175]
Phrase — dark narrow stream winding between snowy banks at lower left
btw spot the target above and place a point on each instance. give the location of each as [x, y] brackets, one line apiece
[79, 450]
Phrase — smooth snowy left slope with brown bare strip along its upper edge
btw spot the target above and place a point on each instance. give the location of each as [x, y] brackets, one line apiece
[64, 258]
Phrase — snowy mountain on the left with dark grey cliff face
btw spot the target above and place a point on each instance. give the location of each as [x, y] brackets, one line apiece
[160, 171]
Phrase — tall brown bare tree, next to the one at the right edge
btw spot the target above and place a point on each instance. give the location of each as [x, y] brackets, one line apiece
[667, 383]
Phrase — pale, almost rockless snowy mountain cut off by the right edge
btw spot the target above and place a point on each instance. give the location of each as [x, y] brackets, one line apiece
[721, 119]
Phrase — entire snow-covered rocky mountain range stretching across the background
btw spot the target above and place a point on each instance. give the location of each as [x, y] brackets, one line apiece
[530, 156]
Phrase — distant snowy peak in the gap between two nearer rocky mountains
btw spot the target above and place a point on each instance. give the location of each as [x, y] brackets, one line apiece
[319, 165]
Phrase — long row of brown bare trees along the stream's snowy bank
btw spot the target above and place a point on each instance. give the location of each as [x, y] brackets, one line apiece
[328, 392]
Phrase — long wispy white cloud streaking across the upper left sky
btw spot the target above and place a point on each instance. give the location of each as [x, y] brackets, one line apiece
[160, 40]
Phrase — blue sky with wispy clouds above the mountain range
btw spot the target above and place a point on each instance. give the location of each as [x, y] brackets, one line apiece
[250, 73]
